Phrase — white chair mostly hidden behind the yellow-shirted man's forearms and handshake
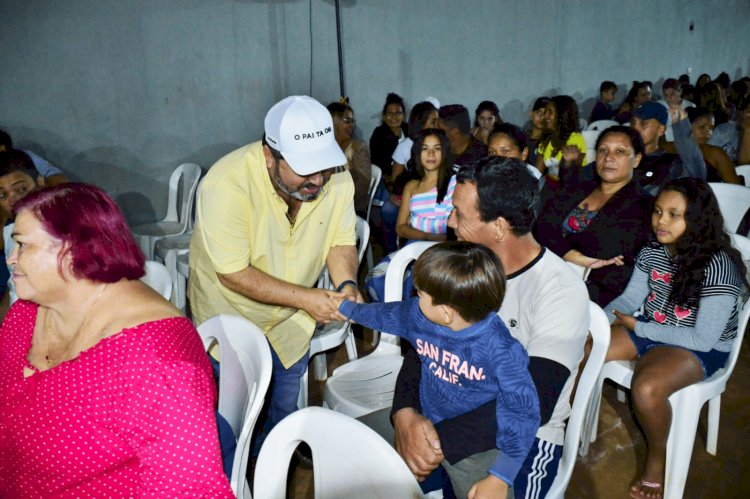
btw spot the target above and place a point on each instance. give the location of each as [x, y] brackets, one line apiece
[334, 333]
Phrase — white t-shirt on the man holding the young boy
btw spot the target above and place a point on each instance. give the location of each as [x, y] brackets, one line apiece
[546, 308]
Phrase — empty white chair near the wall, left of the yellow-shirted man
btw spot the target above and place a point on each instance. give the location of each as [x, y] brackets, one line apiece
[178, 218]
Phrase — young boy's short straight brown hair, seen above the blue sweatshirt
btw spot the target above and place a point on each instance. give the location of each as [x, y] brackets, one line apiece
[463, 275]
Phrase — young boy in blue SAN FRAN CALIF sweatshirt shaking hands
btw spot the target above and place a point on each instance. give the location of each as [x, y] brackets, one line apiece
[468, 356]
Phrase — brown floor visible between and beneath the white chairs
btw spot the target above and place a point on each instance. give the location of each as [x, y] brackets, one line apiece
[615, 458]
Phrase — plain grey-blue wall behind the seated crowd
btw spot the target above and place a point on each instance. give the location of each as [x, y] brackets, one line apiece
[119, 92]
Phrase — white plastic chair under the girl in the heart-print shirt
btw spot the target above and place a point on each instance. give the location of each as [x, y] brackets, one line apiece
[686, 403]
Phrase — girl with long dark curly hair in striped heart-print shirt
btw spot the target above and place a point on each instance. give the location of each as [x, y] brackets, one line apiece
[678, 315]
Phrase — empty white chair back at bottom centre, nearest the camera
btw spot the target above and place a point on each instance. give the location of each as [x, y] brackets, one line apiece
[349, 459]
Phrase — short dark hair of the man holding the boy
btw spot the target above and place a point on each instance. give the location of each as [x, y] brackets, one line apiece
[505, 188]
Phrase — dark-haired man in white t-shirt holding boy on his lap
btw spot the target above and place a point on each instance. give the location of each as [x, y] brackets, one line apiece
[545, 308]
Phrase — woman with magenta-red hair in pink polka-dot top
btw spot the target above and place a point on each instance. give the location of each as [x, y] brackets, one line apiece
[105, 390]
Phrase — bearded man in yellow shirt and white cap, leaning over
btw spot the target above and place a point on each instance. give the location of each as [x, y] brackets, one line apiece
[270, 216]
